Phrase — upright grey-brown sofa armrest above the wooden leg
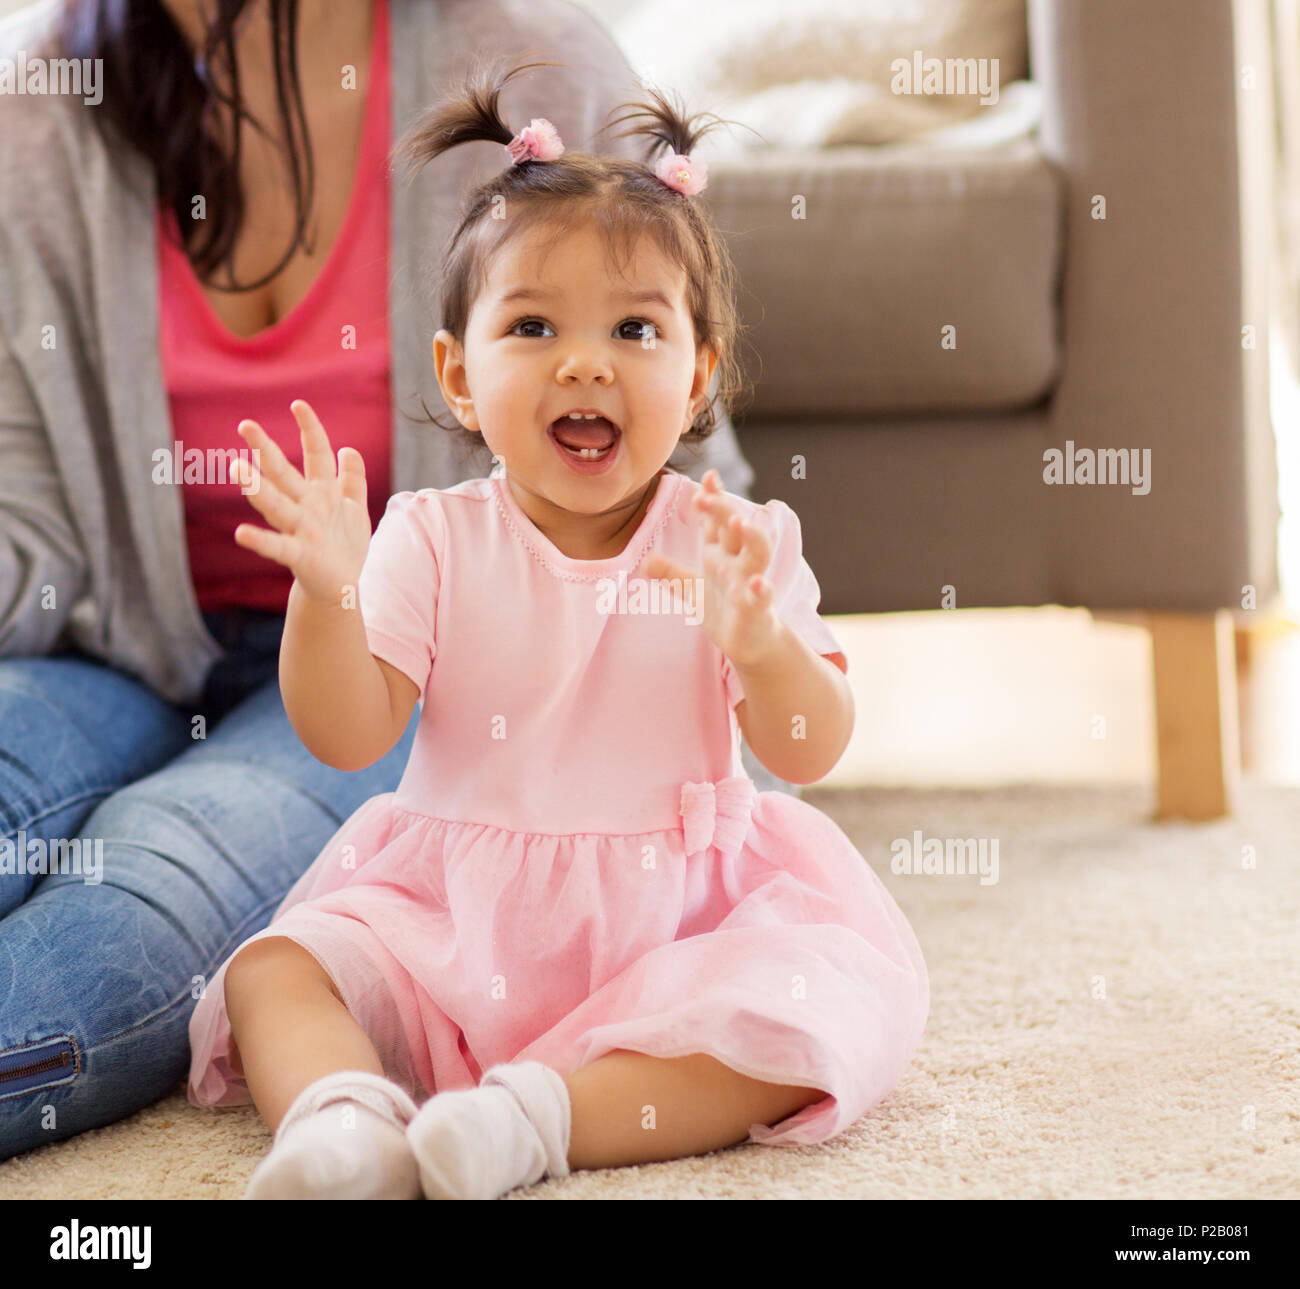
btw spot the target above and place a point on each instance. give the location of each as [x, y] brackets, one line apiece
[1147, 107]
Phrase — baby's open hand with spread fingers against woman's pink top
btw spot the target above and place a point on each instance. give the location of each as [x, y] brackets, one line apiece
[324, 527]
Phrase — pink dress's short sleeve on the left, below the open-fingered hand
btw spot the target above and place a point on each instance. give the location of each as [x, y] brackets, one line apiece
[398, 588]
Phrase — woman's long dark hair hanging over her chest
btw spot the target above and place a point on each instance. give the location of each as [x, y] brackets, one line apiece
[158, 99]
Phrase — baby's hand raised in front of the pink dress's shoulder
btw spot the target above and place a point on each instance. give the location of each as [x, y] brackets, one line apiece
[738, 613]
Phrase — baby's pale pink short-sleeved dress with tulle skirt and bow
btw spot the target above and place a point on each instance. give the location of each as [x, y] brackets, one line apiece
[575, 860]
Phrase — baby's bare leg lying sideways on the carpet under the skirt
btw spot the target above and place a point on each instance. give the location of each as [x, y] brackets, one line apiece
[631, 1109]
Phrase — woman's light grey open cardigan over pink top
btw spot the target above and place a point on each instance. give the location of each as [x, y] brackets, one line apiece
[92, 550]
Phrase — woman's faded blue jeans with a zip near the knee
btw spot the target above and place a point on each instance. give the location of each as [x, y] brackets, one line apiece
[194, 831]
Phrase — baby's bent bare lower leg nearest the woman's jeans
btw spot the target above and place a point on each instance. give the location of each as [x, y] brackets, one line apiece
[291, 1025]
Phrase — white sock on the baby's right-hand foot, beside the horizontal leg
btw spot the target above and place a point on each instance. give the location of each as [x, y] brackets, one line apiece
[510, 1131]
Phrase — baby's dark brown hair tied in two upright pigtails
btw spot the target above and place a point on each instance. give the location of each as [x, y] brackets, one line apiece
[622, 197]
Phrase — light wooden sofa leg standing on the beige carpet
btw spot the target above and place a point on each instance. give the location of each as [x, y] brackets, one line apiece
[1194, 658]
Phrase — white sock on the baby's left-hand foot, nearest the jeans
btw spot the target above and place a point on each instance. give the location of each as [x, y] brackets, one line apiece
[343, 1139]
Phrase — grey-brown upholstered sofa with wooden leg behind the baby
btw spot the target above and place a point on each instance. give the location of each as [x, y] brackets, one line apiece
[925, 465]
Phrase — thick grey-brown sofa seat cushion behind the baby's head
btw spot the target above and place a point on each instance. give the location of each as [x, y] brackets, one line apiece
[846, 309]
